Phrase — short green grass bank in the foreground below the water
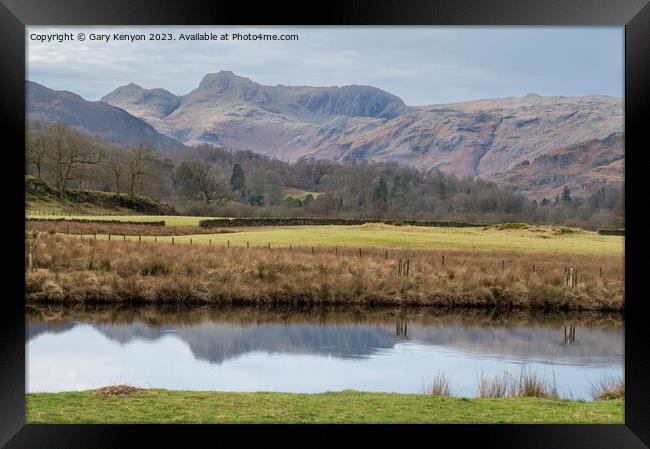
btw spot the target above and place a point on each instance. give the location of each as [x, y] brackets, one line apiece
[164, 406]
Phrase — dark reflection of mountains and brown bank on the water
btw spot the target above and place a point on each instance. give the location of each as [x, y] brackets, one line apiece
[222, 335]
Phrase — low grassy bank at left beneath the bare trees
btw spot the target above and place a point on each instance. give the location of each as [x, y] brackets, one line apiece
[40, 198]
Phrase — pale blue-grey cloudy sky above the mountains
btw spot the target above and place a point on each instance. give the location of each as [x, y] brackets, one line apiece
[421, 65]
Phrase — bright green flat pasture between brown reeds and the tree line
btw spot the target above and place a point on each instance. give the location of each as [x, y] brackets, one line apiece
[535, 239]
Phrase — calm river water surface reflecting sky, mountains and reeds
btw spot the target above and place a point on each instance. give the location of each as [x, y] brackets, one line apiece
[379, 350]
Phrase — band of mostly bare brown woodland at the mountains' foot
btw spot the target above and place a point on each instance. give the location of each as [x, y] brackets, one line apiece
[205, 180]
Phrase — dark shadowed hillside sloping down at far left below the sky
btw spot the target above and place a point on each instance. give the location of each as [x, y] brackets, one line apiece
[95, 117]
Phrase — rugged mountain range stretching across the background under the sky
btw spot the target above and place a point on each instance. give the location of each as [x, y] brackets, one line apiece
[533, 144]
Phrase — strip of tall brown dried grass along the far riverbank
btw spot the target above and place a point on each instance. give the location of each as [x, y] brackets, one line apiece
[71, 270]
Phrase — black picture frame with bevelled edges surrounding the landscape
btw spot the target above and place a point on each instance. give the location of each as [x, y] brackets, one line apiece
[633, 14]
